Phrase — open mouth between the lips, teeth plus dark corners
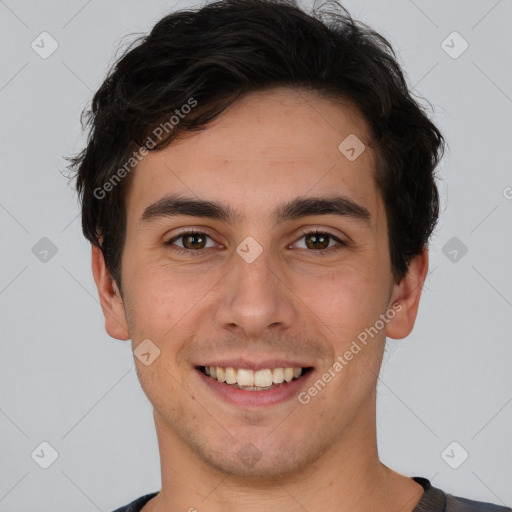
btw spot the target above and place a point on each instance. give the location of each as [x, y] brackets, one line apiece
[249, 380]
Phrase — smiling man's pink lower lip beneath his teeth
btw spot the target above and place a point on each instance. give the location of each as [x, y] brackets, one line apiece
[280, 393]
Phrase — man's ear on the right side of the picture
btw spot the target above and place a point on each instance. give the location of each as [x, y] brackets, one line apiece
[407, 293]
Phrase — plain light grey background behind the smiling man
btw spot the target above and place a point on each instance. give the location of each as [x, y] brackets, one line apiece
[63, 380]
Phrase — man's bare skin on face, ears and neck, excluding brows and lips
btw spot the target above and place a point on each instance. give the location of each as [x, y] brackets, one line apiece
[266, 149]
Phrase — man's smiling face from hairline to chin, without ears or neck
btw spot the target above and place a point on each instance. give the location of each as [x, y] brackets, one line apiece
[286, 270]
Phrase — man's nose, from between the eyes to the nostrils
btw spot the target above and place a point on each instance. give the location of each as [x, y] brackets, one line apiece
[255, 298]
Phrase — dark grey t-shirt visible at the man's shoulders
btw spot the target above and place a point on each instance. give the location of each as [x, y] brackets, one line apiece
[432, 500]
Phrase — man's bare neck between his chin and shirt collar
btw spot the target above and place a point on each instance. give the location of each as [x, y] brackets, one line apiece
[347, 477]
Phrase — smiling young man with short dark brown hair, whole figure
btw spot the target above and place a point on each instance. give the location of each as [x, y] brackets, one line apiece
[259, 191]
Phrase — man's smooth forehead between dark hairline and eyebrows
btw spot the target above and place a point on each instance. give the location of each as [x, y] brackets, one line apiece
[266, 148]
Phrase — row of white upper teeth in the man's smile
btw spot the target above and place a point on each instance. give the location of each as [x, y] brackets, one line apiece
[246, 377]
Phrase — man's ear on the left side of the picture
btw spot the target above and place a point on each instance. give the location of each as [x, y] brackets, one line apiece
[110, 297]
